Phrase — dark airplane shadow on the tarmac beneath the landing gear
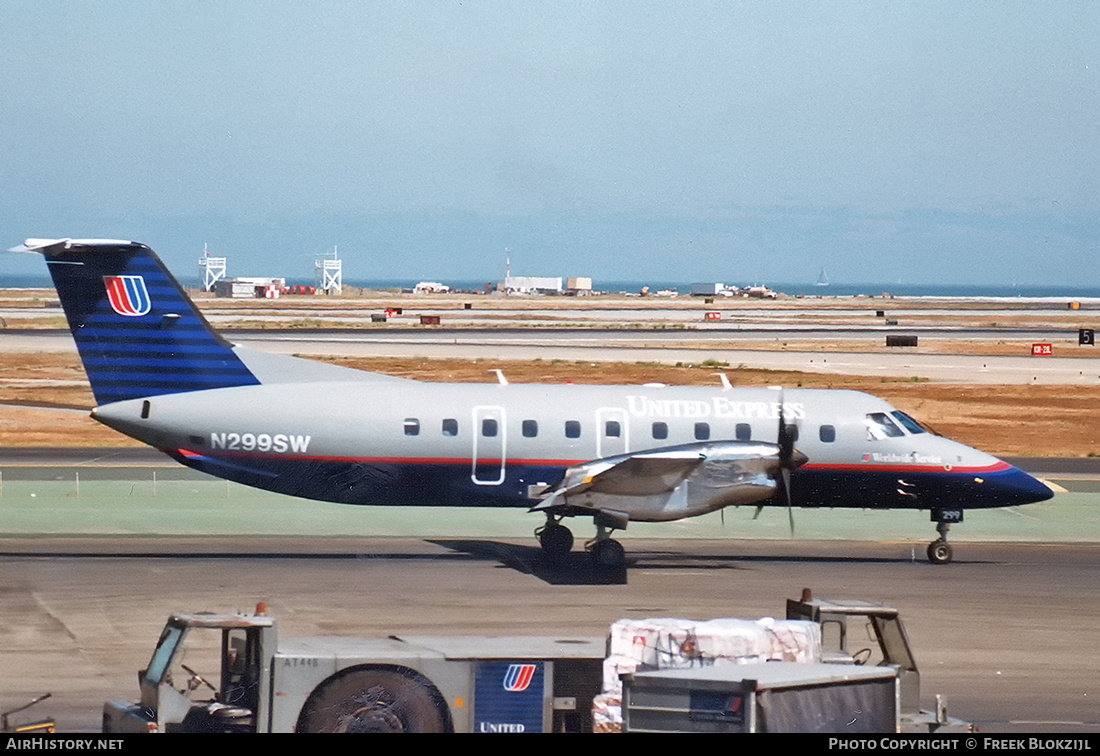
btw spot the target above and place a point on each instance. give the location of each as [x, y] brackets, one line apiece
[578, 568]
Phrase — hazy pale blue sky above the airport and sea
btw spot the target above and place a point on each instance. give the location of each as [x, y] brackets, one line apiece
[728, 141]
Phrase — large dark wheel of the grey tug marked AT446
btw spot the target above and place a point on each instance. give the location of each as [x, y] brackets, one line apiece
[376, 700]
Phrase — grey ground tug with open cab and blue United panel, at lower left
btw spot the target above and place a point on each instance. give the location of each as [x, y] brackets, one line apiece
[358, 685]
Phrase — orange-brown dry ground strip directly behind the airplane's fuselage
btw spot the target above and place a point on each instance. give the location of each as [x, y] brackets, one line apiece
[45, 400]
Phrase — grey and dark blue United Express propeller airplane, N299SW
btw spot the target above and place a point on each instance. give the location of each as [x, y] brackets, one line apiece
[161, 375]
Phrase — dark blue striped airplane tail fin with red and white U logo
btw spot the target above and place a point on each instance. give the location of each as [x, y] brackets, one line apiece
[138, 334]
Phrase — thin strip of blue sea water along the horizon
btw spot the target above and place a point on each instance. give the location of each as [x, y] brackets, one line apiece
[807, 290]
